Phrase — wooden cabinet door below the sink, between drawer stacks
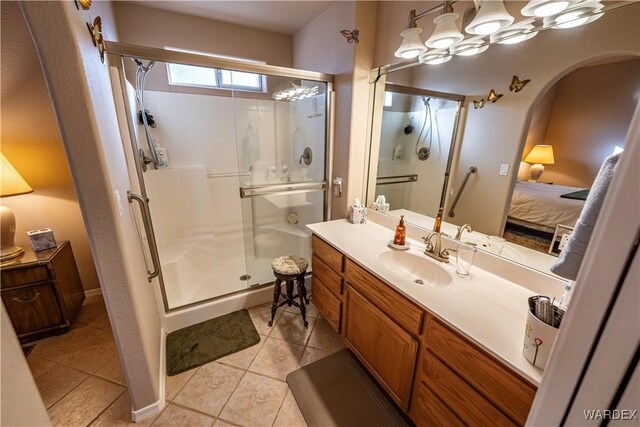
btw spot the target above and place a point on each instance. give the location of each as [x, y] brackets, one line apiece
[386, 349]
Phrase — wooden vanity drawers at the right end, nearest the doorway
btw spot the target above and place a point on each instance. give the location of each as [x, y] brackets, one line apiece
[472, 384]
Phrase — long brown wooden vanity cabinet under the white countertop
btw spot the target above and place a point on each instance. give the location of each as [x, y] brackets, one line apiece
[433, 373]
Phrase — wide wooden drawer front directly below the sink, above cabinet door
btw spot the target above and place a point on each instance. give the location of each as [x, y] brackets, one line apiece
[394, 305]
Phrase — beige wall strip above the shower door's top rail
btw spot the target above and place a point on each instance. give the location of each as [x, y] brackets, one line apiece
[147, 26]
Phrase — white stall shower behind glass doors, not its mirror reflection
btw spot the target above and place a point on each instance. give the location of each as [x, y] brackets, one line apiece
[232, 161]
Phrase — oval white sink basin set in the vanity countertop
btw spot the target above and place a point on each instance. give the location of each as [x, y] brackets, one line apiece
[416, 268]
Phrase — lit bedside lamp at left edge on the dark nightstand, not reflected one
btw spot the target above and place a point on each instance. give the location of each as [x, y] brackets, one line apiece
[11, 184]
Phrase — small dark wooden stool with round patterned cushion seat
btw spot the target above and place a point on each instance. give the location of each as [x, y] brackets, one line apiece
[289, 269]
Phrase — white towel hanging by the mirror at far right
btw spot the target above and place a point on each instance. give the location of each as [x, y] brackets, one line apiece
[570, 258]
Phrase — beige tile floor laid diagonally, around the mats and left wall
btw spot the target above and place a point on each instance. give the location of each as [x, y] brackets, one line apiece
[81, 381]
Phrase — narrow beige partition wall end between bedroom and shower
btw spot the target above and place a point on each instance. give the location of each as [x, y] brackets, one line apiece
[81, 93]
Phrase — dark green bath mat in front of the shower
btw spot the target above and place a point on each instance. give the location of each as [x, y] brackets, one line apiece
[195, 345]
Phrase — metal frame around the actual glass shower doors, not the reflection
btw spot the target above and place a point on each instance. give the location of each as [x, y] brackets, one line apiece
[117, 53]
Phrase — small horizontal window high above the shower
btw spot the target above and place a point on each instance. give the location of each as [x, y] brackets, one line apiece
[189, 75]
